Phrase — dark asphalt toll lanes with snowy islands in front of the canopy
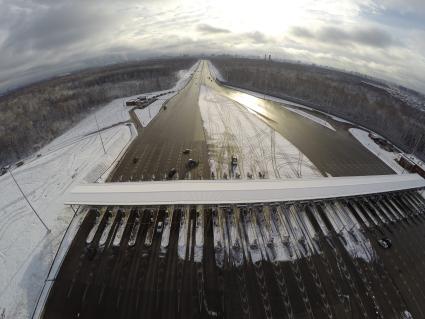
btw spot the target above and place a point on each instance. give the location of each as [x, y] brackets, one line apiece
[266, 261]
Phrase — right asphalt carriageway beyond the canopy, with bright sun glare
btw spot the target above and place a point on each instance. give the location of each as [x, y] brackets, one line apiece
[335, 153]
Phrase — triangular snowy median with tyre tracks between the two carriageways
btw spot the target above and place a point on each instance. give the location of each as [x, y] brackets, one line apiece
[234, 130]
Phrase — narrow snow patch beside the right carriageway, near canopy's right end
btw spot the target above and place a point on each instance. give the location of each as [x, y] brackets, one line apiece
[388, 158]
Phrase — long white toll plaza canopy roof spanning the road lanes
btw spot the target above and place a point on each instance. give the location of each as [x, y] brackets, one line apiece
[238, 191]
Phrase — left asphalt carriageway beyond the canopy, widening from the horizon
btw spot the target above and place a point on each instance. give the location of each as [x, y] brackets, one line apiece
[159, 147]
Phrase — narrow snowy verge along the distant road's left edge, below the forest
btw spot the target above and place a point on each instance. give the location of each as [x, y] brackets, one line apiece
[147, 114]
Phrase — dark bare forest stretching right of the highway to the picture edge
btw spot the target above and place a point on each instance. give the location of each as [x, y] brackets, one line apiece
[349, 96]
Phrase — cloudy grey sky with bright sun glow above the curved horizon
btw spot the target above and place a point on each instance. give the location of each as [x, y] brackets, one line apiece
[379, 38]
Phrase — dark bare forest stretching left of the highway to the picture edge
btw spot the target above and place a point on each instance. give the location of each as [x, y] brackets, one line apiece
[34, 115]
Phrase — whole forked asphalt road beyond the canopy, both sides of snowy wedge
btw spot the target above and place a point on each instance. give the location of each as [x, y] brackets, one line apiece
[159, 147]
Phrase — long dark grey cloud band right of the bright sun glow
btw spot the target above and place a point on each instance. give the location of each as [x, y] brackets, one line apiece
[371, 36]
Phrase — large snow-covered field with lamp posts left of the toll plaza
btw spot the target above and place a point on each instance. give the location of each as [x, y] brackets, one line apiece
[26, 249]
